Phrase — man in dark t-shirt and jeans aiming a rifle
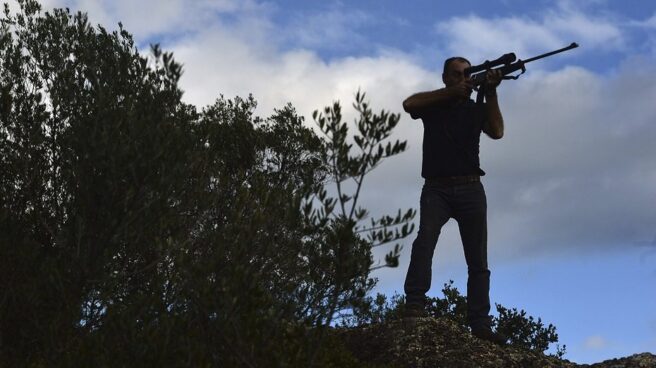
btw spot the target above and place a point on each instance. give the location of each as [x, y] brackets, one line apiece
[452, 189]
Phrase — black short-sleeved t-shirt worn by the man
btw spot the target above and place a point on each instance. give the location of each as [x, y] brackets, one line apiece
[451, 140]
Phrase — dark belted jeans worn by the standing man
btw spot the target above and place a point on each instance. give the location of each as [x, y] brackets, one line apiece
[467, 204]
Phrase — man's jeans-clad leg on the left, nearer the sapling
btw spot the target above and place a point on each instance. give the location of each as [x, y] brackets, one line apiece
[434, 212]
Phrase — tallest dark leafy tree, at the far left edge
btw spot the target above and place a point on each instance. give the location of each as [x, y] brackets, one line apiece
[94, 146]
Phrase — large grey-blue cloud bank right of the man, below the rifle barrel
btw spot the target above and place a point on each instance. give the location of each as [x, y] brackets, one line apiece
[577, 167]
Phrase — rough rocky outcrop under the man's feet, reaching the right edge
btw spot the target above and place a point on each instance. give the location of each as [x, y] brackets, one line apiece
[433, 343]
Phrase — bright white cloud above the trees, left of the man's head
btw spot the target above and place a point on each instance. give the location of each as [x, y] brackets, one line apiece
[226, 60]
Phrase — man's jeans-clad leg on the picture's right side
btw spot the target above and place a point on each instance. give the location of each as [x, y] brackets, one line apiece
[470, 208]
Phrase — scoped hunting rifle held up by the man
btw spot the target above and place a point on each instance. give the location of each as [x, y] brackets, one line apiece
[478, 73]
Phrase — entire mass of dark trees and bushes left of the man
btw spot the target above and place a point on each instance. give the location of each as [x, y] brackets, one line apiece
[137, 228]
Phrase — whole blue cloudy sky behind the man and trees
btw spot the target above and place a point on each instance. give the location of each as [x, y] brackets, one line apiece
[571, 187]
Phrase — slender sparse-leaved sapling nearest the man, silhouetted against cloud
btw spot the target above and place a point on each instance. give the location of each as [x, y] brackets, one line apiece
[351, 281]
